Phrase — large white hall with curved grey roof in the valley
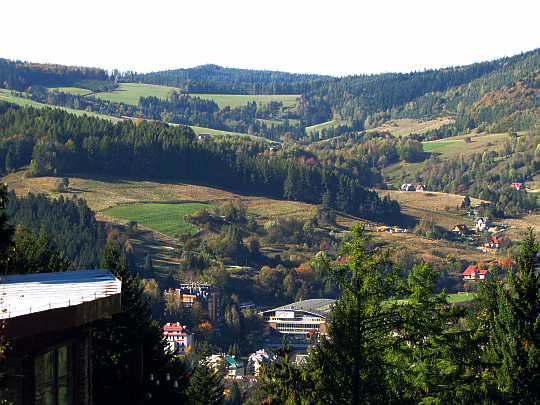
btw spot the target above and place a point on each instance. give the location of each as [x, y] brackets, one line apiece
[301, 319]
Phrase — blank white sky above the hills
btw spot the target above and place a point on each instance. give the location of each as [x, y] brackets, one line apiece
[337, 37]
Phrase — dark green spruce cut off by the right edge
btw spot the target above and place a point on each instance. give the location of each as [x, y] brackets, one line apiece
[510, 316]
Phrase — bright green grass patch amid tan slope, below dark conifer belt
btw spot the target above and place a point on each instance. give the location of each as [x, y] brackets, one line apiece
[165, 218]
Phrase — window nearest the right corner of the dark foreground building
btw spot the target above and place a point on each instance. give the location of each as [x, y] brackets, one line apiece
[59, 376]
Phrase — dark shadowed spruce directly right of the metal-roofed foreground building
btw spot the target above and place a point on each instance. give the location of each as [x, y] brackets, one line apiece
[128, 346]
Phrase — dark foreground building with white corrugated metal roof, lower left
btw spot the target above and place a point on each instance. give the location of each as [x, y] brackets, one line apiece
[48, 323]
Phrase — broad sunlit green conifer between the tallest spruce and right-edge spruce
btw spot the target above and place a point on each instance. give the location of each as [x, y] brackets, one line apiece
[435, 358]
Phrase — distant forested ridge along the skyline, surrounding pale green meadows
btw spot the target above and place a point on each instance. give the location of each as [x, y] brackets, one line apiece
[500, 95]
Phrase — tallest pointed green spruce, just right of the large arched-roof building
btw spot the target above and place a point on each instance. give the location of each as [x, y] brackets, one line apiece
[351, 364]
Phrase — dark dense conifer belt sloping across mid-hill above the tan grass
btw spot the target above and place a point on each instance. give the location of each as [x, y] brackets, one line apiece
[53, 142]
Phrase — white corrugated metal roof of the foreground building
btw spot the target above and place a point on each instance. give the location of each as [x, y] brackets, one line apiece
[30, 293]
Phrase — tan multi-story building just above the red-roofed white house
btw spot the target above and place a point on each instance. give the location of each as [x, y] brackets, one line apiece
[188, 293]
